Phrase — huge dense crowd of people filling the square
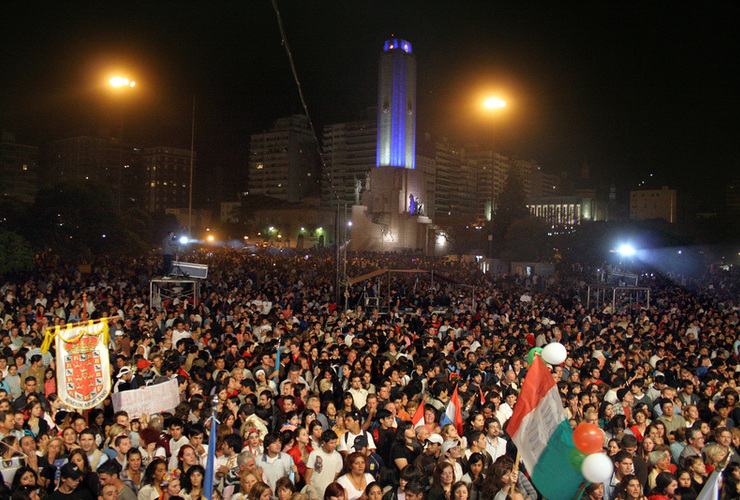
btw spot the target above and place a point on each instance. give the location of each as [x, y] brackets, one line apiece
[332, 419]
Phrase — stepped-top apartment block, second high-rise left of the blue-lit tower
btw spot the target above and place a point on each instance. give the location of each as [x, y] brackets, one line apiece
[283, 162]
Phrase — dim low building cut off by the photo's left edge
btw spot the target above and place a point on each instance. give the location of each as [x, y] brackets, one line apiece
[19, 169]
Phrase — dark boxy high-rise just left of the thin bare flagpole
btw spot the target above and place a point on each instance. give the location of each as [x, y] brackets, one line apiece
[167, 178]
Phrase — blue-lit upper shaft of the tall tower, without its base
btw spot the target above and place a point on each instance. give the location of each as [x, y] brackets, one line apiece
[397, 106]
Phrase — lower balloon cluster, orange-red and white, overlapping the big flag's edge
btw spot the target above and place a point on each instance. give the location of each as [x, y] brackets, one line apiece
[588, 455]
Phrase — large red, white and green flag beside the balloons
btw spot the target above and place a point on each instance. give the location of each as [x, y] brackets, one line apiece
[543, 435]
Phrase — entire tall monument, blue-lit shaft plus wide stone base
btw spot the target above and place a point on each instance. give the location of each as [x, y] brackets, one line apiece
[391, 214]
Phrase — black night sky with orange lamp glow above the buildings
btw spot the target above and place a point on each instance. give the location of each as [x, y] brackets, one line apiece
[633, 88]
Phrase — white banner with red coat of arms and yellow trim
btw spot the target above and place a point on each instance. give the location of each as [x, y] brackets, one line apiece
[83, 363]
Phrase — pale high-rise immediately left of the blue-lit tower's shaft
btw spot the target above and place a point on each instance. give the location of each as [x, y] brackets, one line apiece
[349, 155]
